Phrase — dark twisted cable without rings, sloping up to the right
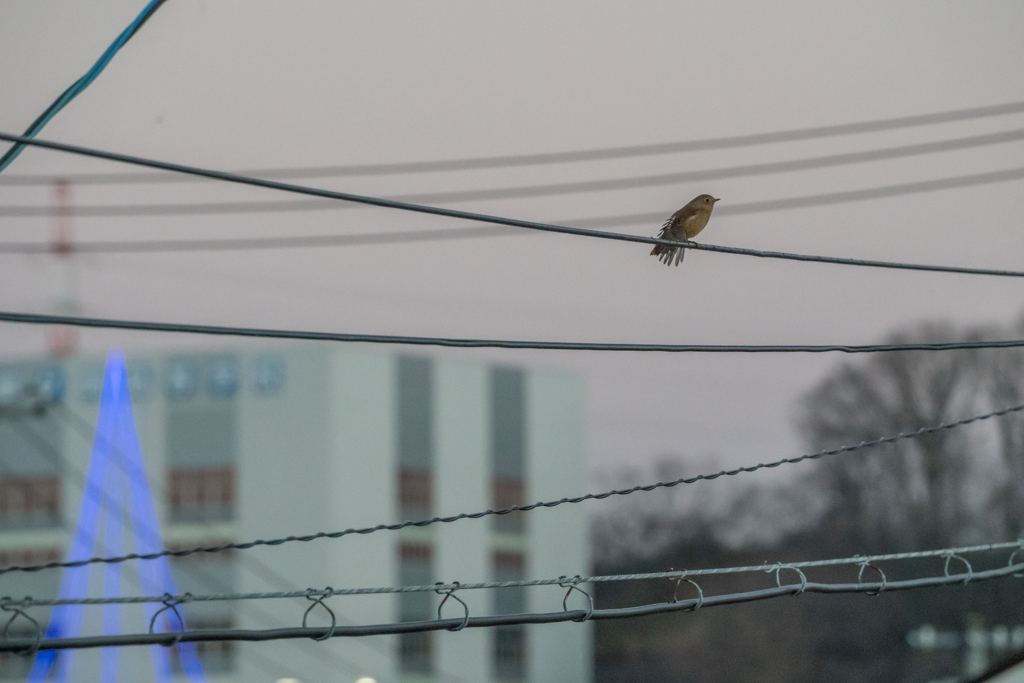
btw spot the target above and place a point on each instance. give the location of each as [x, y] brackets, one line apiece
[526, 508]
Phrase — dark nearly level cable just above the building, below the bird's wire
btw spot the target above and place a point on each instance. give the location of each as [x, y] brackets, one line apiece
[111, 324]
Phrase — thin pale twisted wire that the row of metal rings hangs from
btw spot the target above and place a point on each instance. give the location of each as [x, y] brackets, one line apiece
[858, 561]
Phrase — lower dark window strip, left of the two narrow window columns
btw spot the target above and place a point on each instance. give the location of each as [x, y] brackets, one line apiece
[416, 569]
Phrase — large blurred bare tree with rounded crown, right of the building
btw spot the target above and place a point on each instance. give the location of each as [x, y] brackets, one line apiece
[916, 493]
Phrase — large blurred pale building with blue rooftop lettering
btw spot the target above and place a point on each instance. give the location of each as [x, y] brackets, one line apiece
[258, 445]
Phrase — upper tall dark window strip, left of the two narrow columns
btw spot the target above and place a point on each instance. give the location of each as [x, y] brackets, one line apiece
[415, 420]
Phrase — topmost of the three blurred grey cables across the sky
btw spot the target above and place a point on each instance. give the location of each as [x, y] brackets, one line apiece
[294, 174]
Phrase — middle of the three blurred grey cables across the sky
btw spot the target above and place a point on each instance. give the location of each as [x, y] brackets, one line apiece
[547, 190]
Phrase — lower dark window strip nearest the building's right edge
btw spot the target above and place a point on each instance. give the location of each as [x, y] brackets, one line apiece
[509, 642]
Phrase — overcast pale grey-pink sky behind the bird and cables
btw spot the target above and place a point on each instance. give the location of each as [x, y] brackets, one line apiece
[235, 84]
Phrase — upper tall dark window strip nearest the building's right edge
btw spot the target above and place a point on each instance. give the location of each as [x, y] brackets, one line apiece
[508, 446]
